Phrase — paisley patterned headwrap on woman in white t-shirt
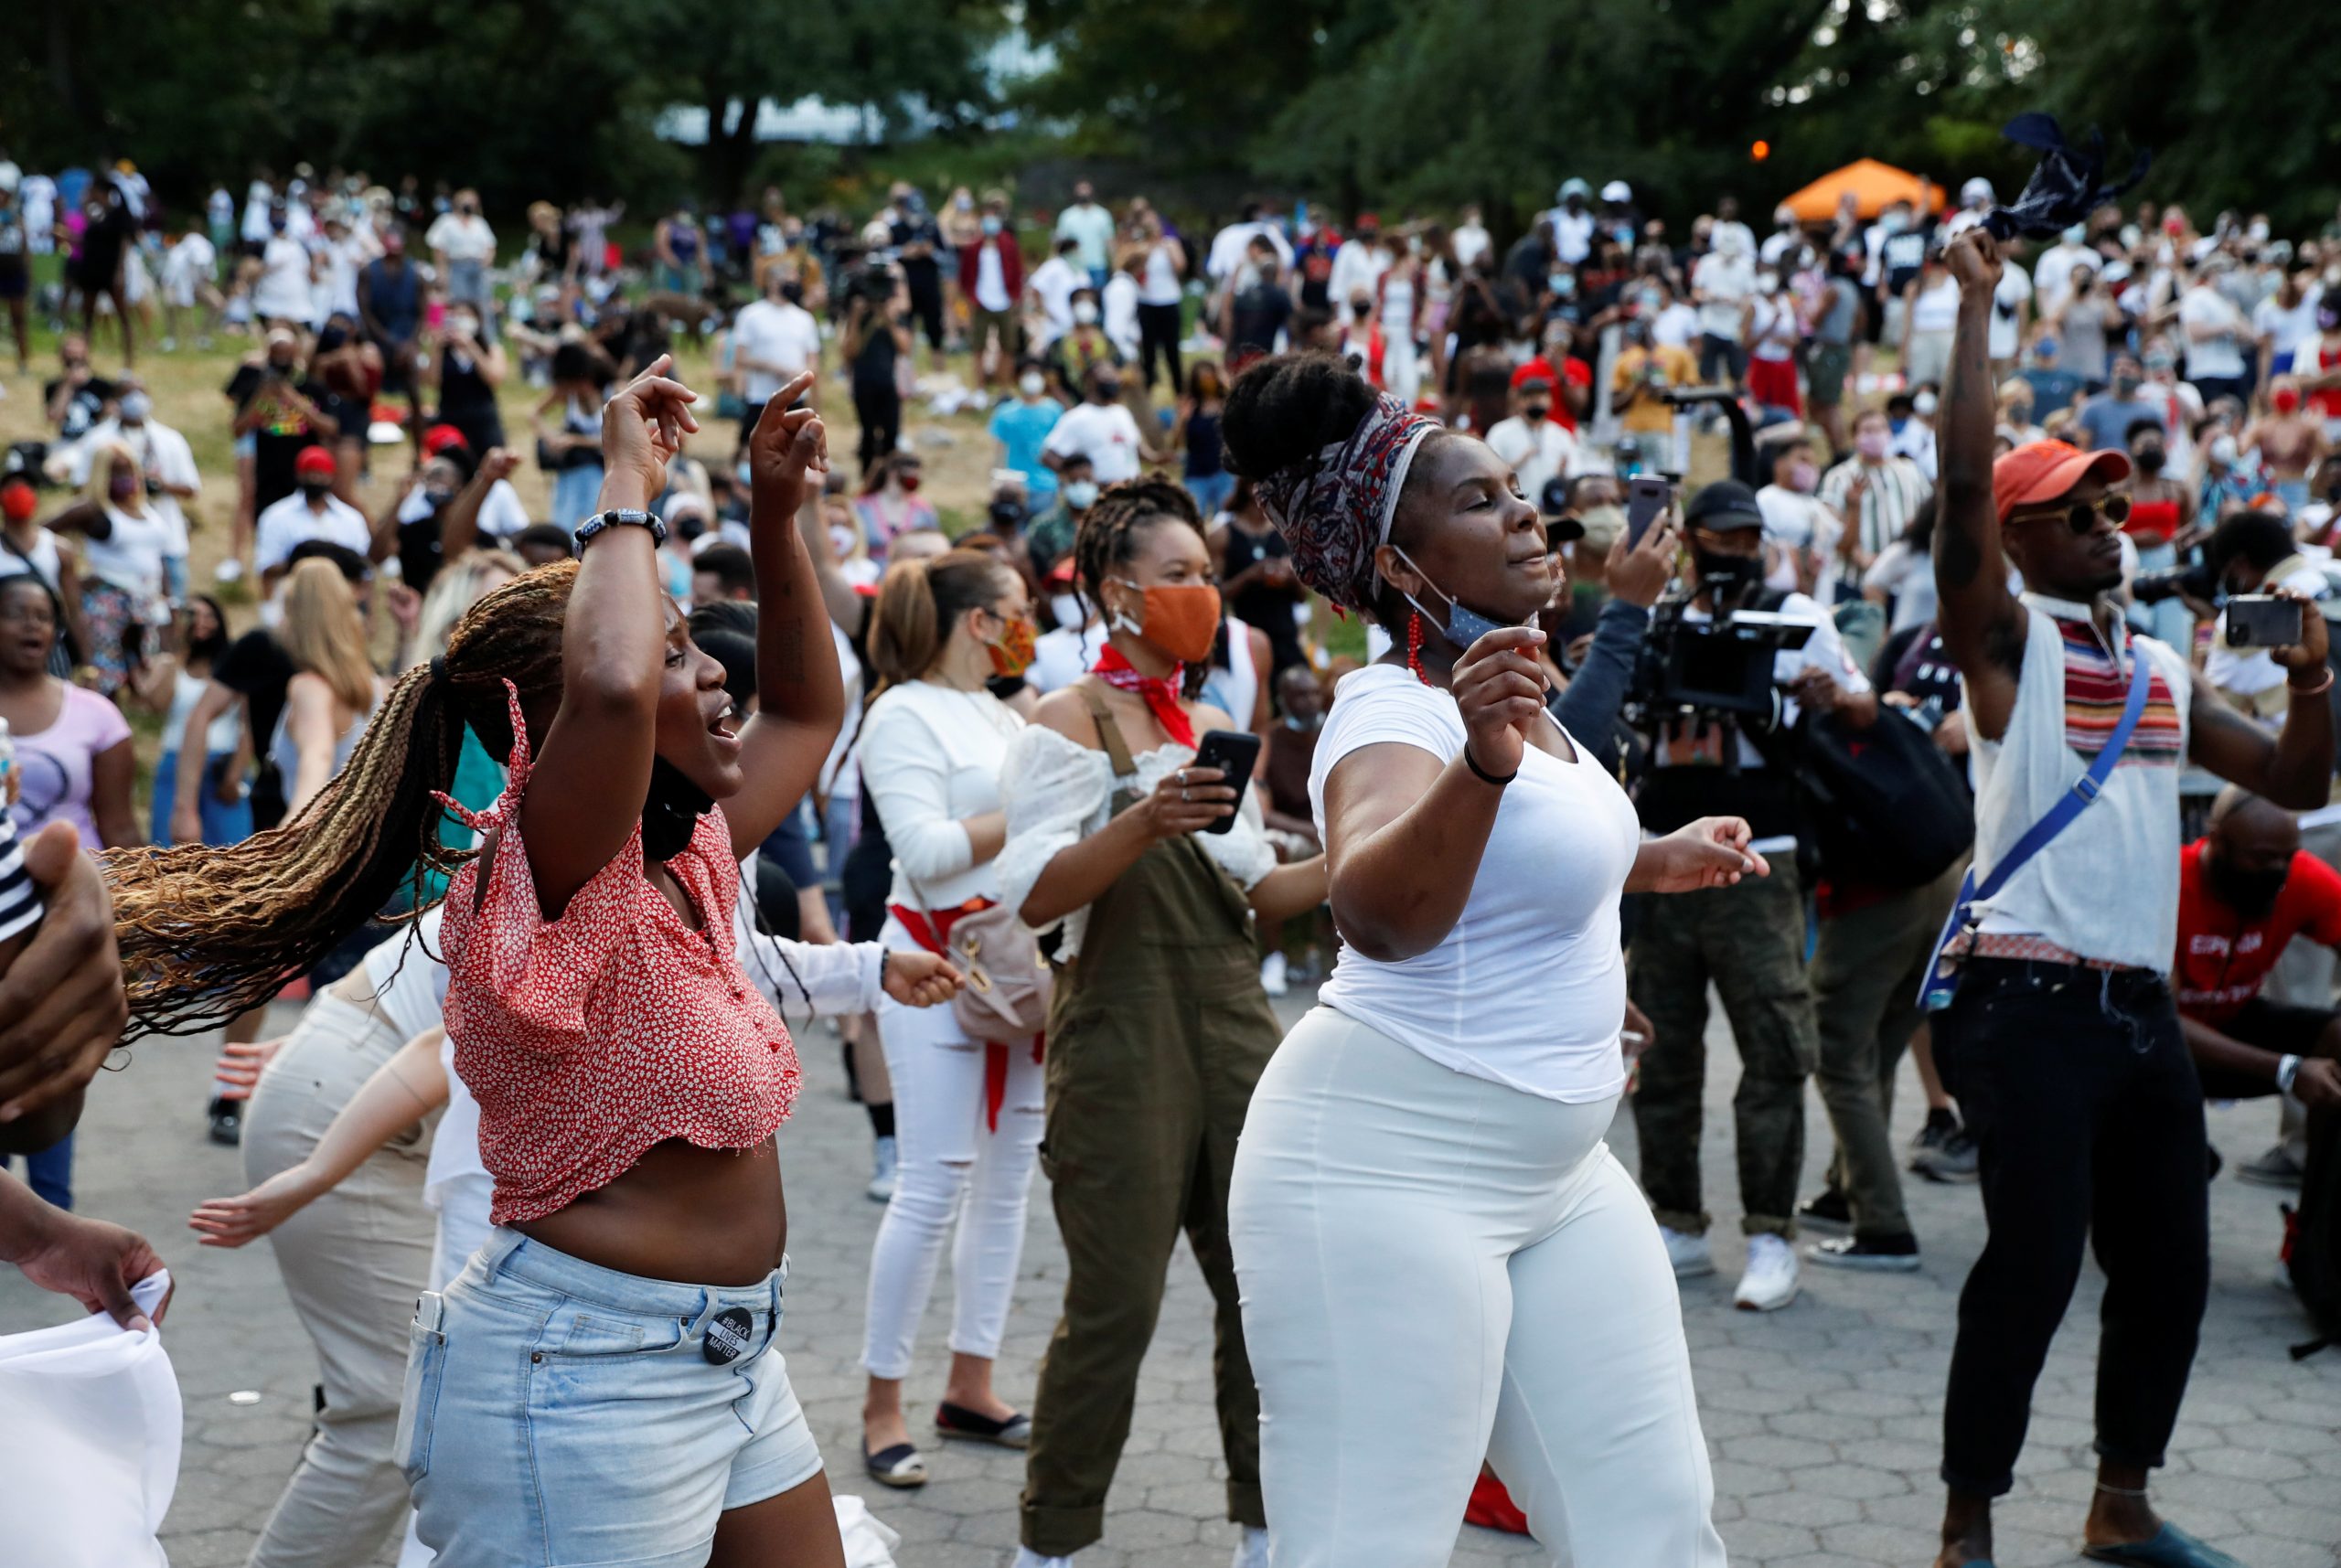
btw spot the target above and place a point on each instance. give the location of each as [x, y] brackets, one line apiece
[1338, 507]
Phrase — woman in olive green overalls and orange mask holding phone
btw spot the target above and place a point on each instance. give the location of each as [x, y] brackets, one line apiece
[1160, 1026]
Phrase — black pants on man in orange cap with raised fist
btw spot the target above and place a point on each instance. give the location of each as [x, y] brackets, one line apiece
[2089, 1127]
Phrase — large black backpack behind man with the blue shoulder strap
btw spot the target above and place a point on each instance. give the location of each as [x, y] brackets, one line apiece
[1881, 806]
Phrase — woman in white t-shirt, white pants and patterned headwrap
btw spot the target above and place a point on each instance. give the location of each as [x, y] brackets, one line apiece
[1424, 1216]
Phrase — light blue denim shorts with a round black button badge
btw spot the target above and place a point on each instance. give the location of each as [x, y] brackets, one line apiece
[558, 1412]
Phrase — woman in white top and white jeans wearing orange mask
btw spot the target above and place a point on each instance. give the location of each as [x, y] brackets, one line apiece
[966, 1110]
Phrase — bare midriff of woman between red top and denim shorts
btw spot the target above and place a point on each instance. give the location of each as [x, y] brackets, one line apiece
[680, 1213]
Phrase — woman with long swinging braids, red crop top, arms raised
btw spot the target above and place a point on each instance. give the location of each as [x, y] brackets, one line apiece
[600, 1382]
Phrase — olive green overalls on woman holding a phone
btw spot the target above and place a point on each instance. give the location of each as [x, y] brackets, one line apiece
[1155, 1043]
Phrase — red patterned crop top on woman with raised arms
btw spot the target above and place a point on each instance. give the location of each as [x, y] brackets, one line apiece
[591, 1038]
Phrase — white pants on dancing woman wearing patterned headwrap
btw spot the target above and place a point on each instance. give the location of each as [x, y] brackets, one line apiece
[1441, 1270]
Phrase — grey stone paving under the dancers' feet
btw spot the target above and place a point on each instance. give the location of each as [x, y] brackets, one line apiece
[1822, 1419]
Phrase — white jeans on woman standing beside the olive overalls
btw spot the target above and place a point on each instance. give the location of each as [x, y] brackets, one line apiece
[952, 1167]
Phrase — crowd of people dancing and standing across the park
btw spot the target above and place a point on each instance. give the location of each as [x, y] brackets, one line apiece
[1050, 809]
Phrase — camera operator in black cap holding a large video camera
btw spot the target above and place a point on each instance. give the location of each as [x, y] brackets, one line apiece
[1750, 940]
